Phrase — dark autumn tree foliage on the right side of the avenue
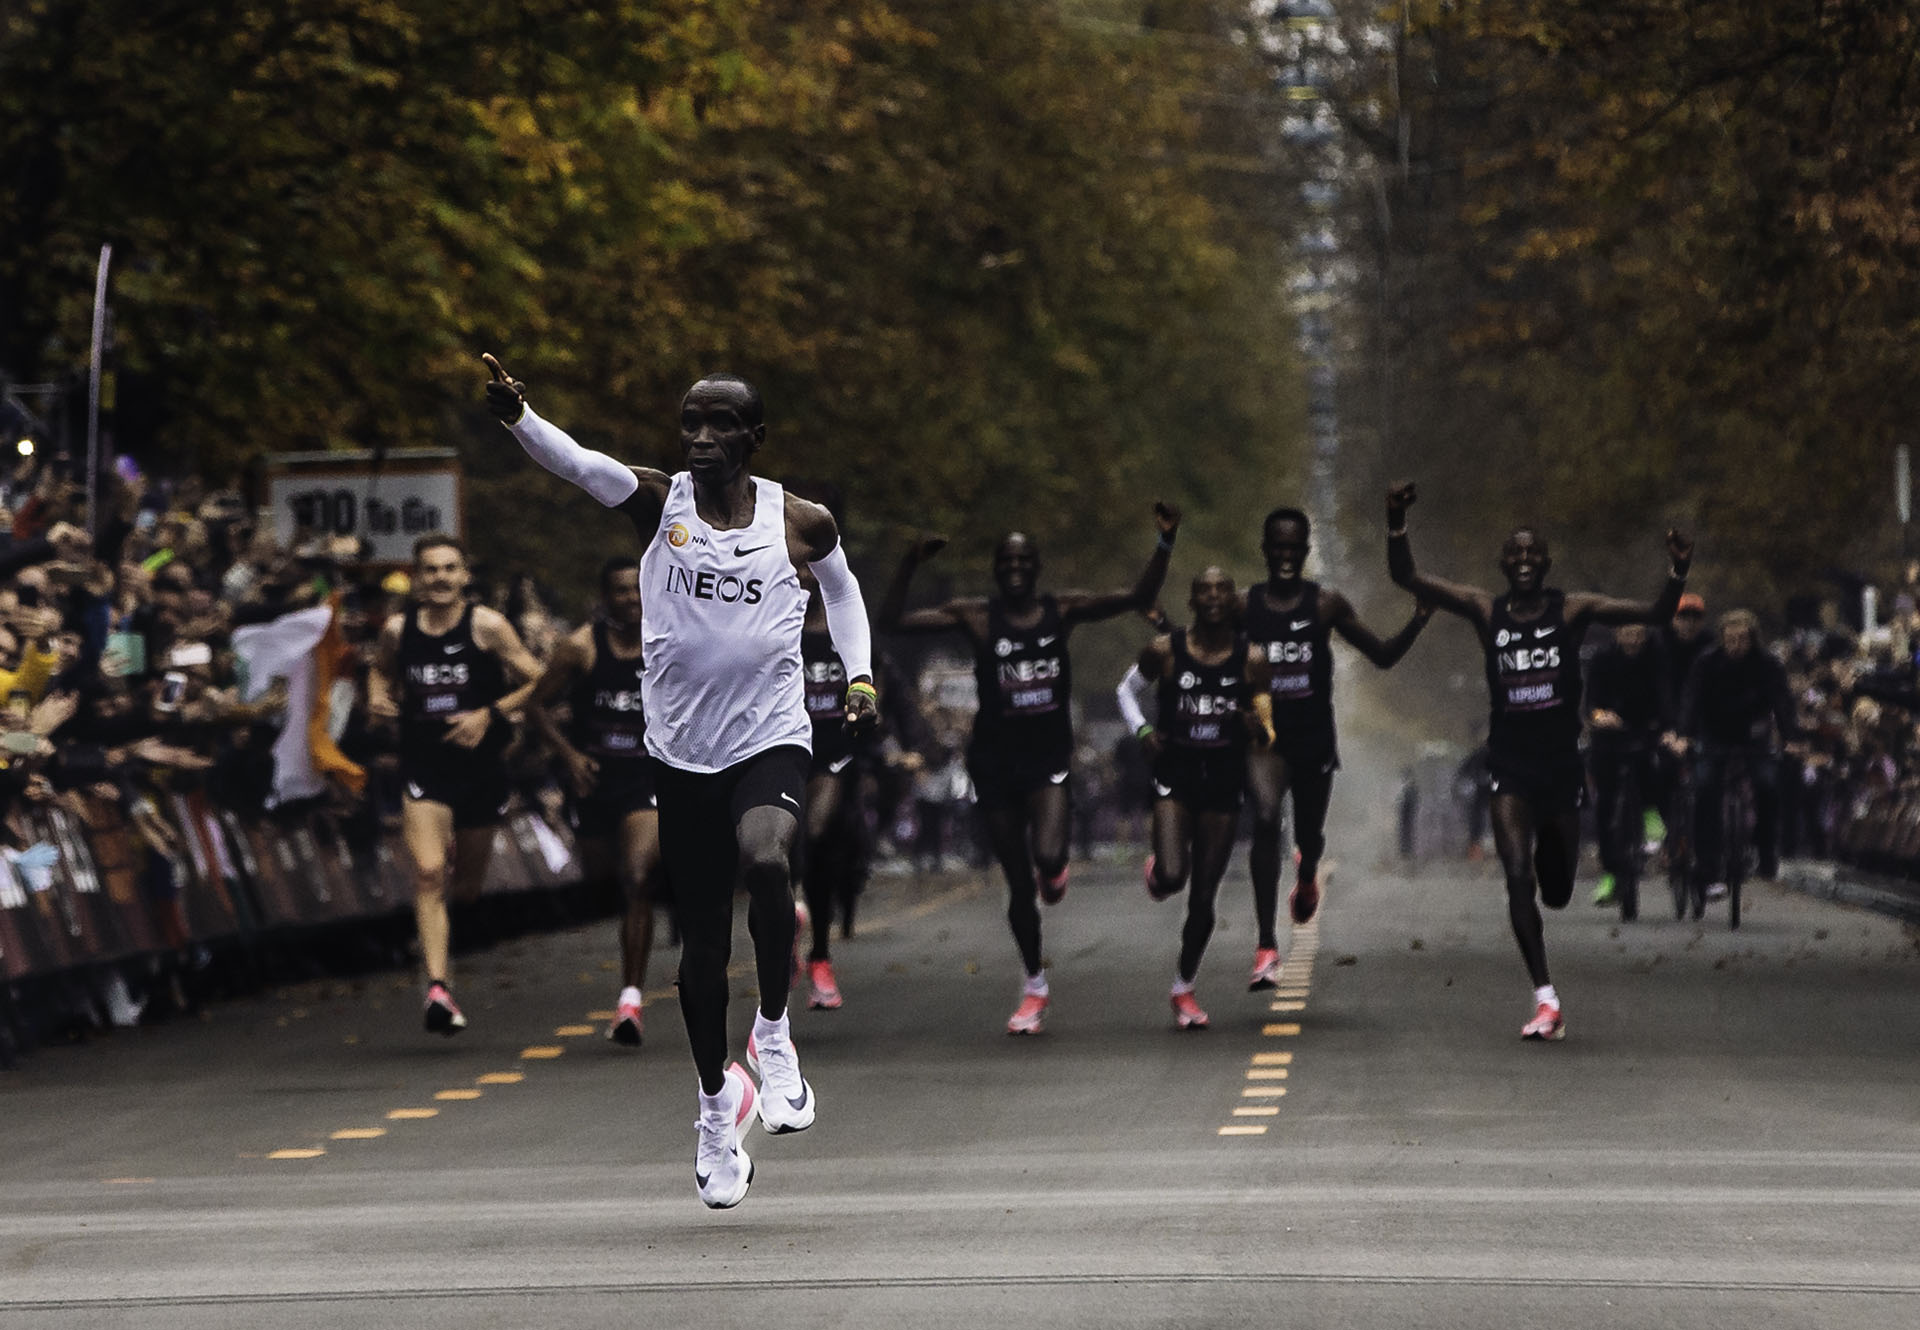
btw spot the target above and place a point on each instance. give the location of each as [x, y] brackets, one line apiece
[1644, 260]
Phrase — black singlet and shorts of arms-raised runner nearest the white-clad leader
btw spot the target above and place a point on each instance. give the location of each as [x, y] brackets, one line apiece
[1024, 730]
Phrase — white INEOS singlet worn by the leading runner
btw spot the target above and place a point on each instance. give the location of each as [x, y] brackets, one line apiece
[721, 619]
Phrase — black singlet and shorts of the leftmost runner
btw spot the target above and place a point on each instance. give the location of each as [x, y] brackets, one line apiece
[441, 678]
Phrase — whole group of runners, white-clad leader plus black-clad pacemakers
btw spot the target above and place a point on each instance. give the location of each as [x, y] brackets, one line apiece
[713, 701]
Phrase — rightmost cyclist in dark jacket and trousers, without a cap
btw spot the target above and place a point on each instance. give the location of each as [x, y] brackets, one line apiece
[1737, 700]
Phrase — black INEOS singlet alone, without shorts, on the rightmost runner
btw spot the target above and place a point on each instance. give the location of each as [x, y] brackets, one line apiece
[1533, 678]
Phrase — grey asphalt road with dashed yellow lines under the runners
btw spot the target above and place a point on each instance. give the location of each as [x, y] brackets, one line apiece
[1731, 1135]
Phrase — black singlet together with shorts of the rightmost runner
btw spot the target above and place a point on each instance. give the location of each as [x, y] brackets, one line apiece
[1533, 682]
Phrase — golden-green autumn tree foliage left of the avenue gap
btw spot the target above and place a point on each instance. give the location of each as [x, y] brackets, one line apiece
[978, 256]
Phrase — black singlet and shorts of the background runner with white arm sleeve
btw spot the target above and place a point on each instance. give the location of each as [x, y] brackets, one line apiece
[1205, 759]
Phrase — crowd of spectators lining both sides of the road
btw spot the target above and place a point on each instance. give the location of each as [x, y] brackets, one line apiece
[120, 680]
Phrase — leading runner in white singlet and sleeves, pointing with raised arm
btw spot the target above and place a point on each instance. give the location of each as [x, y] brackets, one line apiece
[725, 582]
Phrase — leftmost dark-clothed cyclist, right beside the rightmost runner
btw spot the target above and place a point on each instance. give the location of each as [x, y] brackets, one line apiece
[1629, 707]
